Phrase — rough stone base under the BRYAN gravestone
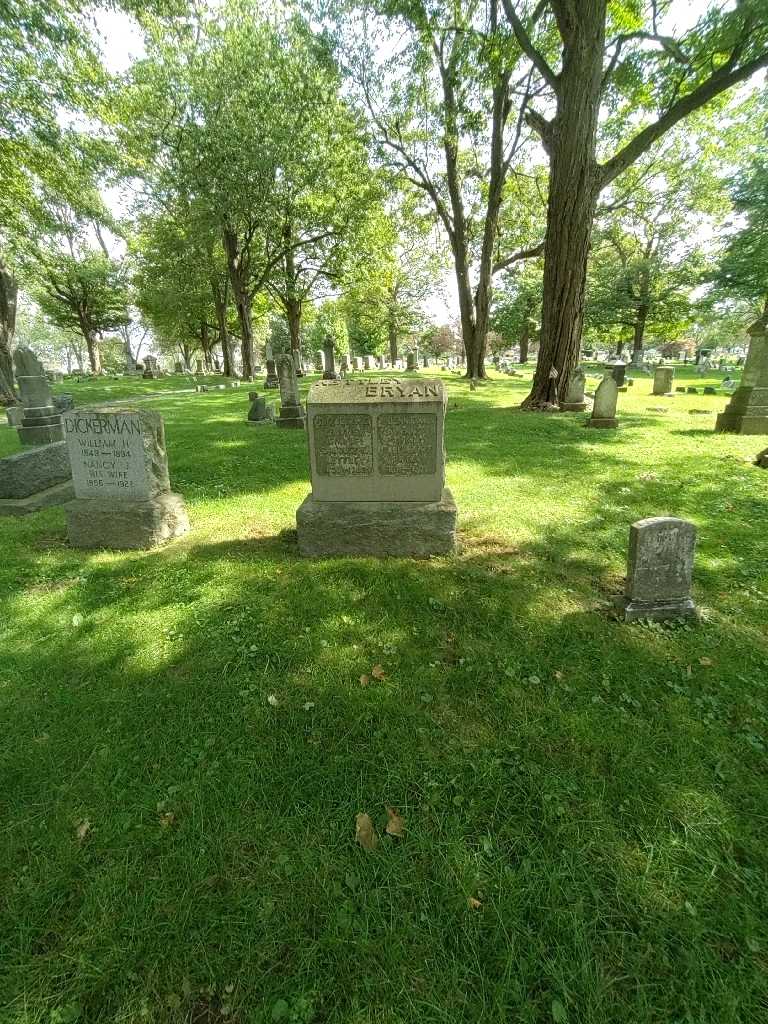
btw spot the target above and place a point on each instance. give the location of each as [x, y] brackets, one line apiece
[400, 529]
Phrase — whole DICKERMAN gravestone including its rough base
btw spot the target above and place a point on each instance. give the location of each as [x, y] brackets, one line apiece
[123, 498]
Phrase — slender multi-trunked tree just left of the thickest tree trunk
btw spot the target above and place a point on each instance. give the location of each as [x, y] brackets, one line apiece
[445, 109]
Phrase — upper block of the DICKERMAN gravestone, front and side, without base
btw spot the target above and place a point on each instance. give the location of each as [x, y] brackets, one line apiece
[118, 455]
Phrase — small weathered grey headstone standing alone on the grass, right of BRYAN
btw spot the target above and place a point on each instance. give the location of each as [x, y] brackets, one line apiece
[660, 571]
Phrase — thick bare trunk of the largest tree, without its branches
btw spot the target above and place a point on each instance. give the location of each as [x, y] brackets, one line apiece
[575, 186]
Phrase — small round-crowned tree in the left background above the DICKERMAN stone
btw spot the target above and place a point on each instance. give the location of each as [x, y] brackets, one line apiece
[86, 294]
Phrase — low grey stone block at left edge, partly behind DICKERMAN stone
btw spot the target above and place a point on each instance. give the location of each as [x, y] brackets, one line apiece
[36, 479]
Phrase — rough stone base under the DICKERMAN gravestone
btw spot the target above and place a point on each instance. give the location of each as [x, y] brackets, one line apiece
[105, 523]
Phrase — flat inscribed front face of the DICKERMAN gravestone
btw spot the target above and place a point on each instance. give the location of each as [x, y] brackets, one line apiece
[107, 453]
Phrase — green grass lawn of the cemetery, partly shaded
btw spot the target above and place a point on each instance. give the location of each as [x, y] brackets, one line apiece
[190, 734]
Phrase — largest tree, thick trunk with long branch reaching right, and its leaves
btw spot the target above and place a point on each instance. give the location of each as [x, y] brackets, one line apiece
[592, 56]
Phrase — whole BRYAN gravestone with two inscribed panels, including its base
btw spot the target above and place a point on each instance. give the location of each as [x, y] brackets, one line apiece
[377, 467]
